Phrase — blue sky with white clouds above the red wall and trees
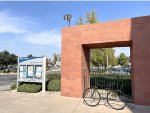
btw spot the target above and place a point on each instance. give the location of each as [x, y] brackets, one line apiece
[35, 27]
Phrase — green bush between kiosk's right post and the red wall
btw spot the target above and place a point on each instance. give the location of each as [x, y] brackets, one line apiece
[54, 85]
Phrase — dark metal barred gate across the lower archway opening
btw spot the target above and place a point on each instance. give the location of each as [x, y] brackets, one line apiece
[115, 79]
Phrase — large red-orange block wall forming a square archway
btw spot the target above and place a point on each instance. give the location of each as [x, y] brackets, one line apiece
[76, 41]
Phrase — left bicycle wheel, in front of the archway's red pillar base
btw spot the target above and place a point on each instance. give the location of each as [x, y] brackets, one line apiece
[91, 97]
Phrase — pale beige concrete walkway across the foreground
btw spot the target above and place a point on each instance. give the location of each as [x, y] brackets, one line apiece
[16, 102]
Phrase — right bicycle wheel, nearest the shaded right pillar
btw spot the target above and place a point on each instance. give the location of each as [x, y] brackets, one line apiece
[117, 99]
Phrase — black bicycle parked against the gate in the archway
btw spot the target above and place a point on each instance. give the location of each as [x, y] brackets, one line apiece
[115, 98]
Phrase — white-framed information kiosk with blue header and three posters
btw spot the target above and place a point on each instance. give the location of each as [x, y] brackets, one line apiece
[32, 69]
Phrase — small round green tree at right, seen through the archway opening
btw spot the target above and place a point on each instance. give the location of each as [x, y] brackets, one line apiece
[122, 59]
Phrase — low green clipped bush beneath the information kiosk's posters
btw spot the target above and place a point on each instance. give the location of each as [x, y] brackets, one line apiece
[30, 87]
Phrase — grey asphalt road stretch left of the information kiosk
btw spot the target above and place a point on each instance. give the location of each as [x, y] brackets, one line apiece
[6, 81]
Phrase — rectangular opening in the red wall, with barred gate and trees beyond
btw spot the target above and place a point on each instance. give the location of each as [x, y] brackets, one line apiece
[108, 68]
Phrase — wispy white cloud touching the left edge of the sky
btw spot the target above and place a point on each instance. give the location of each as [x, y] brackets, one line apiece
[13, 24]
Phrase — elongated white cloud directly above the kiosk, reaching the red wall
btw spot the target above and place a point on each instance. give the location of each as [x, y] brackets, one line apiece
[45, 38]
